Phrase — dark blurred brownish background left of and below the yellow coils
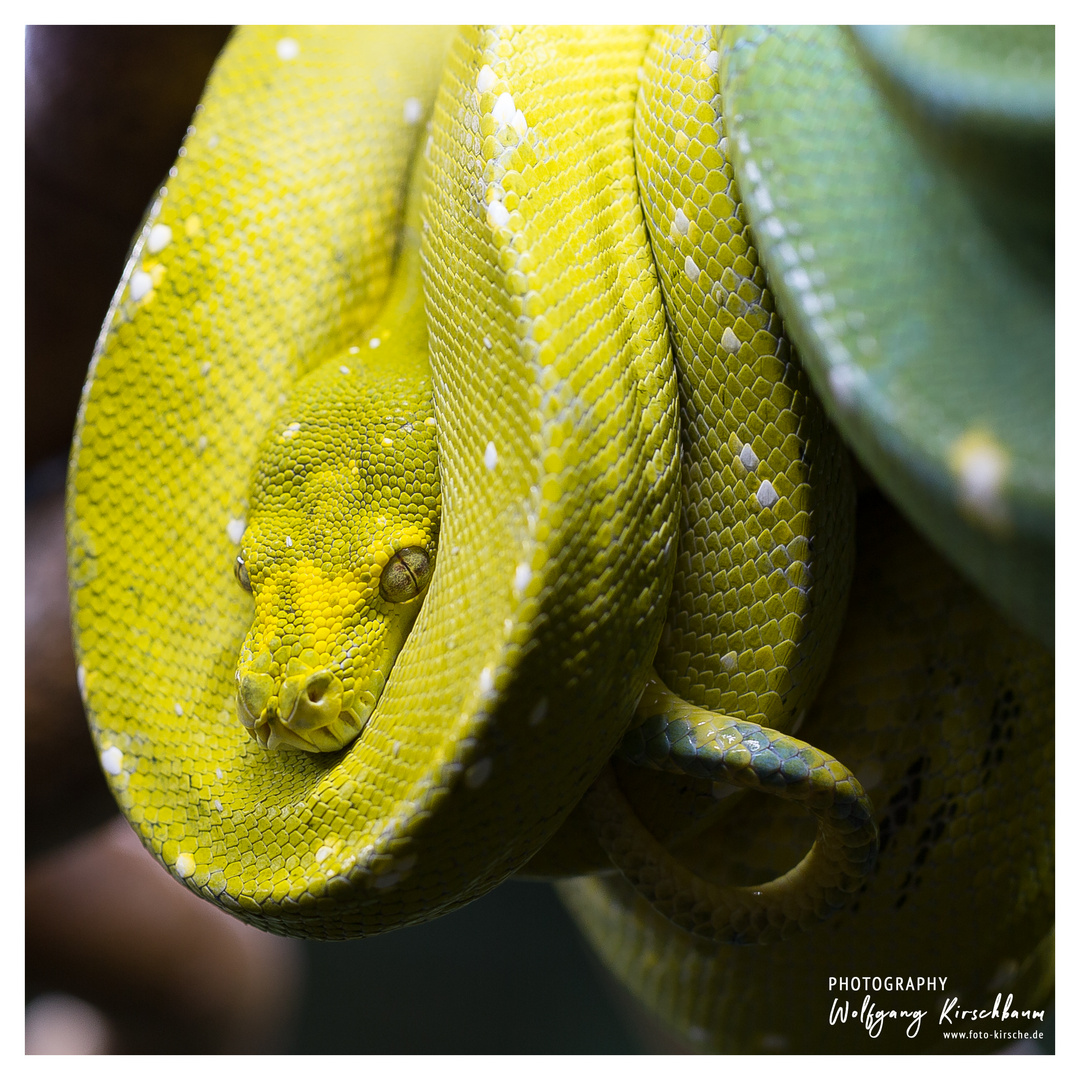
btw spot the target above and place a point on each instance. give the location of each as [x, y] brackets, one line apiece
[119, 958]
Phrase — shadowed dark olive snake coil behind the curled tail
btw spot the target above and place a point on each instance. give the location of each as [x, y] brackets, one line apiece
[946, 712]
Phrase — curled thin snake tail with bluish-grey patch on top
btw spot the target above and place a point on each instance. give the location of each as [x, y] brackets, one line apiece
[679, 738]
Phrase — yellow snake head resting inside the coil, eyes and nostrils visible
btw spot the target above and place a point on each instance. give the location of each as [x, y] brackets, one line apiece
[339, 553]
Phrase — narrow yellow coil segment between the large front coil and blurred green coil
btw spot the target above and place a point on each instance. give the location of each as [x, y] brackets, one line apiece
[766, 532]
